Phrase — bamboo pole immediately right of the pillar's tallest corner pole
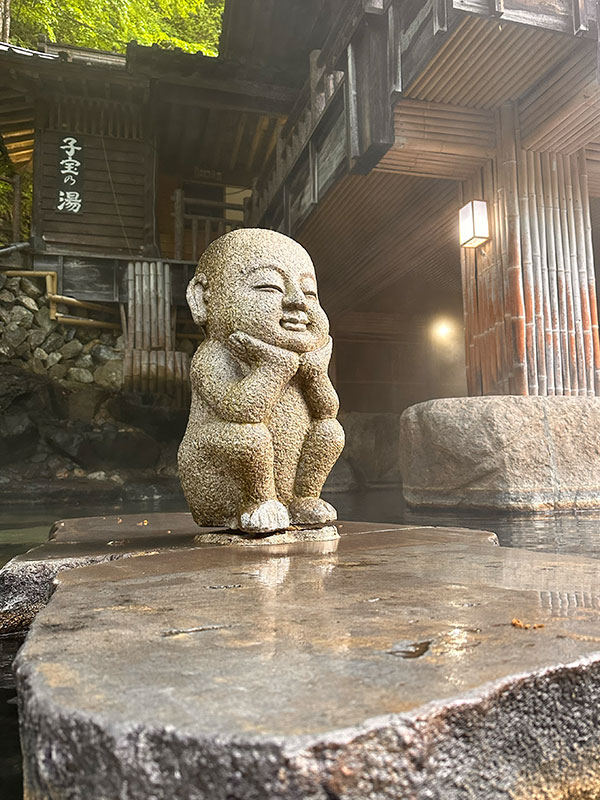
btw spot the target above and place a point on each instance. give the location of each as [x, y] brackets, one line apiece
[528, 279]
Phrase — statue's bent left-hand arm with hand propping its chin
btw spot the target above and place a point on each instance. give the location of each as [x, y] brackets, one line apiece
[249, 399]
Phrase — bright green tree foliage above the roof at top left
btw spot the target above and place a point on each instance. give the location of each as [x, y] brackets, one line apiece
[192, 25]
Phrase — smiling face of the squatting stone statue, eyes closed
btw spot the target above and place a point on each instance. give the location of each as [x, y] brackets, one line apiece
[271, 295]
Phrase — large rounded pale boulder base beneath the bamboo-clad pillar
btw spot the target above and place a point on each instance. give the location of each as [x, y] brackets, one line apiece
[504, 453]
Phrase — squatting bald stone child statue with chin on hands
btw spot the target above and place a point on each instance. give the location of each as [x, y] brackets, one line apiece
[262, 434]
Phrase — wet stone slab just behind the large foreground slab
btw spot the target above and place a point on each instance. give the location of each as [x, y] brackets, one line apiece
[27, 581]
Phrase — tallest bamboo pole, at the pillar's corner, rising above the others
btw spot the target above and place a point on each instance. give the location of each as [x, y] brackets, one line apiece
[513, 237]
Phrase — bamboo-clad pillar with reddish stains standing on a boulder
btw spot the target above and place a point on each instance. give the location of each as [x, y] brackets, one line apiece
[530, 305]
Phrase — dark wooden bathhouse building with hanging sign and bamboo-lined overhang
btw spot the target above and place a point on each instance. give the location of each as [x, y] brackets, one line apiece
[360, 128]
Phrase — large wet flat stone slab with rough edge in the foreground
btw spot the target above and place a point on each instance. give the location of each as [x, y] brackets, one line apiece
[405, 663]
